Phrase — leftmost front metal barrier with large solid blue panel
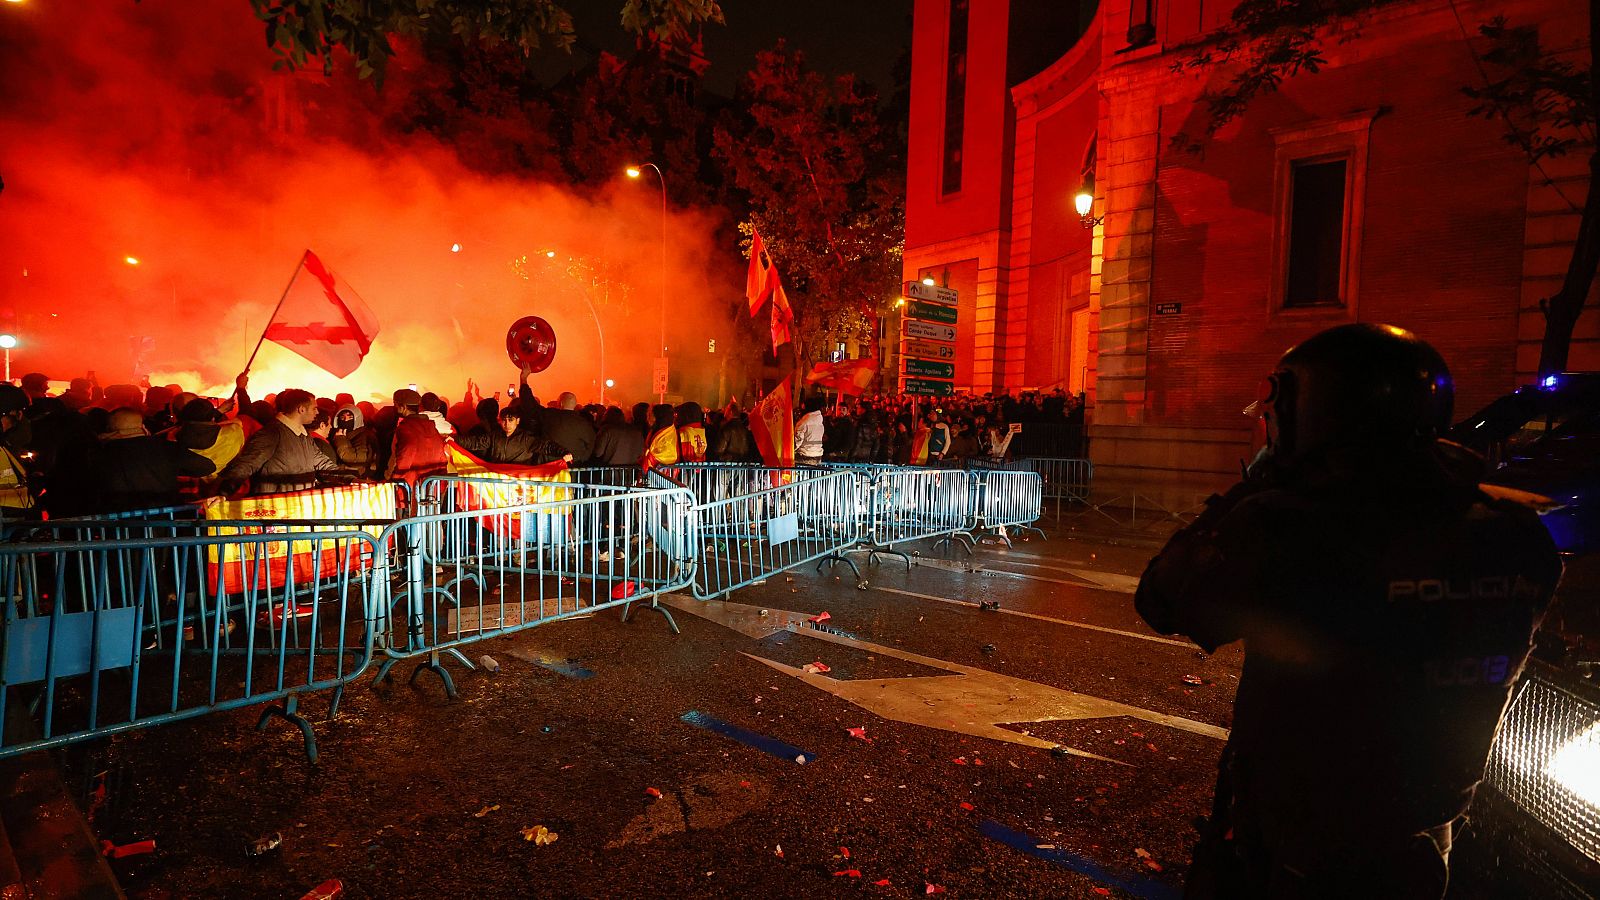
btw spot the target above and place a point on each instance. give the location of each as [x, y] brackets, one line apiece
[106, 635]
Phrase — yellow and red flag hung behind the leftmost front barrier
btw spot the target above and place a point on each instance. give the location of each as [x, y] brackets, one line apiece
[271, 565]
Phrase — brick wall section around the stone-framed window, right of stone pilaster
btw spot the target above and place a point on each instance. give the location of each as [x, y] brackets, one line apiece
[1442, 231]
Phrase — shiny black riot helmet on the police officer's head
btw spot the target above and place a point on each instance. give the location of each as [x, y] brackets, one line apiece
[1372, 387]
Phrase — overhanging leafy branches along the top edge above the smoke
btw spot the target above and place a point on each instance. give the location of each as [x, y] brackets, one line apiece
[305, 31]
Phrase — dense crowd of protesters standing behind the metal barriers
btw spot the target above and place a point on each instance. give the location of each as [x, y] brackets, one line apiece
[94, 451]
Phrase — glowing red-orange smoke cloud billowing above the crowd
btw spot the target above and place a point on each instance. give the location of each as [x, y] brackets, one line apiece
[162, 182]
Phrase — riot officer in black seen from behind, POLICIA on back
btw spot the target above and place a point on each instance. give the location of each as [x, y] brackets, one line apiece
[1386, 603]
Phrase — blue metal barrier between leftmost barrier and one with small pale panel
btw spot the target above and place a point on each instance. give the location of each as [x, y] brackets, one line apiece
[487, 571]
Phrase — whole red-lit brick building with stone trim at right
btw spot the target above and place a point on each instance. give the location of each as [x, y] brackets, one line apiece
[1359, 193]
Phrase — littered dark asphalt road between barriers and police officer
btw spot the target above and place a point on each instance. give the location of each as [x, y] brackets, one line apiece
[666, 766]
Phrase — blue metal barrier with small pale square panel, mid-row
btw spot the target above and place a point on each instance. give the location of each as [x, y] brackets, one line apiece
[754, 523]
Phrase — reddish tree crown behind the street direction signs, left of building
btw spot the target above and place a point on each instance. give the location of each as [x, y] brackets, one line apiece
[820, 172]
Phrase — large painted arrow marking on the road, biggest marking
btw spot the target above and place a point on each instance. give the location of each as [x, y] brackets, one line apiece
[969, 701]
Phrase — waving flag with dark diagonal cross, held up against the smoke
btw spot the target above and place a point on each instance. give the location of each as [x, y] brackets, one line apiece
[324, 321]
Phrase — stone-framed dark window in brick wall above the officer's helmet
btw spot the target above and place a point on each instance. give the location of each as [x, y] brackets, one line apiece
[1318, 231]
